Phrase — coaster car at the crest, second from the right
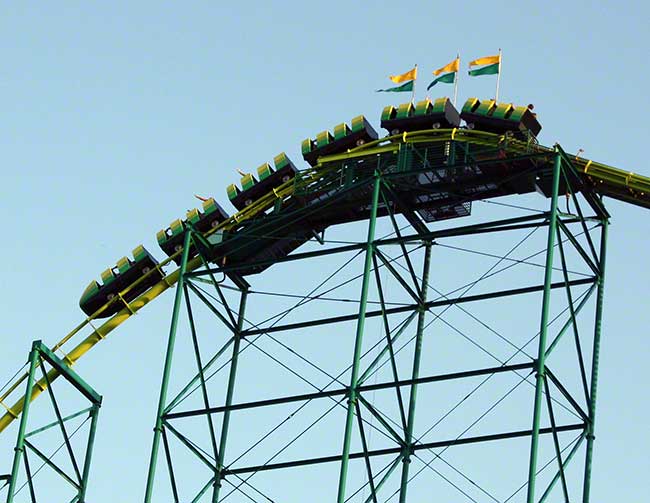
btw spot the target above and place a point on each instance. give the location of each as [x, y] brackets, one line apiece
[424, 115]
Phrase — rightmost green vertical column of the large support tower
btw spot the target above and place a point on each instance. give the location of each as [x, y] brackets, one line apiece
[594, 364]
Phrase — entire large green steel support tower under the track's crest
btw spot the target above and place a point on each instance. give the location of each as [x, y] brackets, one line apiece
[396, 399]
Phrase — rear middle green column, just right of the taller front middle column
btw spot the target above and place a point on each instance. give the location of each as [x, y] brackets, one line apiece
[408, 437]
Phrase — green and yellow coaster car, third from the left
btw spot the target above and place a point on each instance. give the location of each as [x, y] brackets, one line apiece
[269, 179]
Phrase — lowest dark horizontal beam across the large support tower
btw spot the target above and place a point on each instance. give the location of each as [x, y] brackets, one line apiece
[397, 450]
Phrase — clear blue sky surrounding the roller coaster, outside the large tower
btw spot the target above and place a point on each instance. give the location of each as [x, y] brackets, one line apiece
[115, 115]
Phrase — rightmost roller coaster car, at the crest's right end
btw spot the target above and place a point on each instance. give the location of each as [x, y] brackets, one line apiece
[488, 116]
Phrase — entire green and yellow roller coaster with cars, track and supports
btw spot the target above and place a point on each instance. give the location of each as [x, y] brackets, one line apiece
[431, 166]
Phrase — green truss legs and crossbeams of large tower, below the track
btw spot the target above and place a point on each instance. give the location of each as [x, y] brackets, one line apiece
[586, 245]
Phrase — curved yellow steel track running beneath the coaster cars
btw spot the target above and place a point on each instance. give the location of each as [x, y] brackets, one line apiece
[601, 173]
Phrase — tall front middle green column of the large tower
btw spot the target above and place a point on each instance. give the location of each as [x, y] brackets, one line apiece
[345, 457]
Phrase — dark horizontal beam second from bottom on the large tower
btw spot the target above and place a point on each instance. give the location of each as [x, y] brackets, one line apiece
[338, 392]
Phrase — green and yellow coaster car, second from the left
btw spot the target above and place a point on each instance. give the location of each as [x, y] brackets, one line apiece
[170, 240]
